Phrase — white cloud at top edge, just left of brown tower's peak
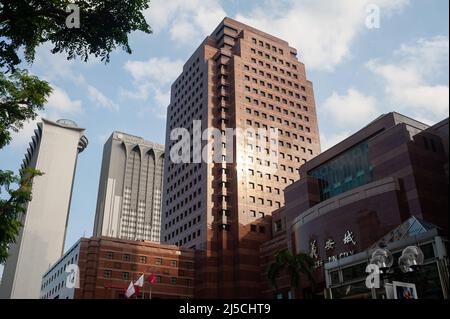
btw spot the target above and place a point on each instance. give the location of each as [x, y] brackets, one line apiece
[188, 21]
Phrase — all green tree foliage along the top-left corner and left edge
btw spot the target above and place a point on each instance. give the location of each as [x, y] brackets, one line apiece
[24, 26]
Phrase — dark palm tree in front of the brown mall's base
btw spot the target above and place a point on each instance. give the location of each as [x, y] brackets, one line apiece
[294, 265]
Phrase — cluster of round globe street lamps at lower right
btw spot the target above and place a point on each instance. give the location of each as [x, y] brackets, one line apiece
[409, 262]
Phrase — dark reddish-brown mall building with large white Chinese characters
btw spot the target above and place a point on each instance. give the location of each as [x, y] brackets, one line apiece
[410, 167]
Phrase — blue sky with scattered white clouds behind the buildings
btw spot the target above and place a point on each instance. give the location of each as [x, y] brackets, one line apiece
[358, 73]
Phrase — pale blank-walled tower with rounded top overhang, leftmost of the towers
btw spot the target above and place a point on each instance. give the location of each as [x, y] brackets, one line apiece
[54, 151]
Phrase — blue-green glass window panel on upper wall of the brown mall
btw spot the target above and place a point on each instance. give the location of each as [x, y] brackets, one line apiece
[348, 170]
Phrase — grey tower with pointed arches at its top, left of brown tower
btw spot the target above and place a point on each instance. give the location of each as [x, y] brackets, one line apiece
[129, 194]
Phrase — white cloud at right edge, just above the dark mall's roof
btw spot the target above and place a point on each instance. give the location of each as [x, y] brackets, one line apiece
[411, 78]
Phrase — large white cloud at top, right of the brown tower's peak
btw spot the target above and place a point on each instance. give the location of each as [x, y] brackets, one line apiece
[322, 30]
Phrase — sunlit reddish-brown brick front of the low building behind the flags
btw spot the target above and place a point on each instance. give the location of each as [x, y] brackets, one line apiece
[108, 265]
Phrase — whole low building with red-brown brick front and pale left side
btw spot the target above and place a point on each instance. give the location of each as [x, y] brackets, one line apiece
[106, 266]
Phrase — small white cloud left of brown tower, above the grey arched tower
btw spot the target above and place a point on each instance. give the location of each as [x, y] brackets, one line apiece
[162, 70]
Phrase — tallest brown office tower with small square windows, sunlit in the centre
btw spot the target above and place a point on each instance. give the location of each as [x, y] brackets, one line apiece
[239, 78]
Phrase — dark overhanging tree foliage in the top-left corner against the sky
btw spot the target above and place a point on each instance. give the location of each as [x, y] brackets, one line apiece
[104, 26]
